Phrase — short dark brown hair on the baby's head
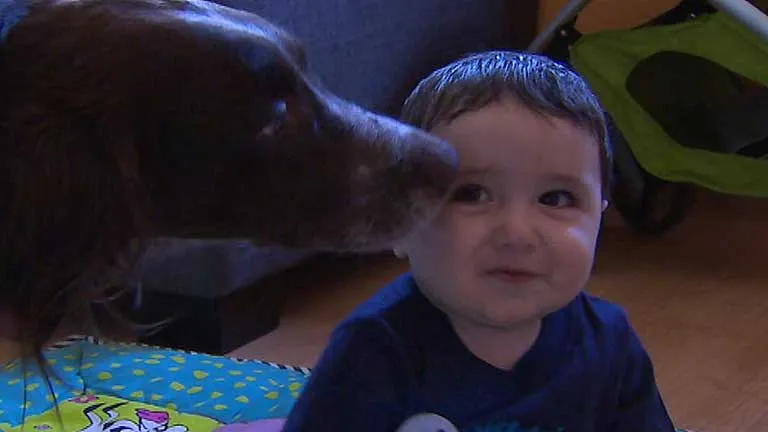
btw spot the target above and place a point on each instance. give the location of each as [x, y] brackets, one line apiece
[537, 82]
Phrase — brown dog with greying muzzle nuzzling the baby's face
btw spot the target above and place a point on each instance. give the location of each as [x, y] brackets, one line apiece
[128, 119]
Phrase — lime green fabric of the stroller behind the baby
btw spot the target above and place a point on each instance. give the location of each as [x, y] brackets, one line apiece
[608, 59]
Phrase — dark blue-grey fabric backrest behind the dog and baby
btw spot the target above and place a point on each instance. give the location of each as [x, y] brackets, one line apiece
[374, 51]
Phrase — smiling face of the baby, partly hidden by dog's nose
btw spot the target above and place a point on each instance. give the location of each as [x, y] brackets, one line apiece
[517, 240]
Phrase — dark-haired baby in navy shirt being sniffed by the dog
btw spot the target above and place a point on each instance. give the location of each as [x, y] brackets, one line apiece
[491, 329]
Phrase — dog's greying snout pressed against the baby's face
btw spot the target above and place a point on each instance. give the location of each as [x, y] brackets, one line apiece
[395, 175]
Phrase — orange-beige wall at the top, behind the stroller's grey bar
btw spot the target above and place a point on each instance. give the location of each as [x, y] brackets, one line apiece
[607, 14]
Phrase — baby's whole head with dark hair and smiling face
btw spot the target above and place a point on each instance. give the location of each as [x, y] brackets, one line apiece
[517, 239]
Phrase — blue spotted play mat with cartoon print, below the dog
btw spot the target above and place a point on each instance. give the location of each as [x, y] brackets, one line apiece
[117, 387]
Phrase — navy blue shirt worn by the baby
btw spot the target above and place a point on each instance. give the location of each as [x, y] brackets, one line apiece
[398, 356]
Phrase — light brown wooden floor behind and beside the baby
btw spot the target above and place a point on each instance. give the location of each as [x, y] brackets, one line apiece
[698, 297]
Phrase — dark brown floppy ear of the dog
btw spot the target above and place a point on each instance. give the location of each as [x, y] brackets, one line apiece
[70, 209]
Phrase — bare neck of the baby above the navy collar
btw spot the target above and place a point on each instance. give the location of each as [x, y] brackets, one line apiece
[500, 348]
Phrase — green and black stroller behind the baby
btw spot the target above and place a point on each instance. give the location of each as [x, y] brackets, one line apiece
[686, 98]
